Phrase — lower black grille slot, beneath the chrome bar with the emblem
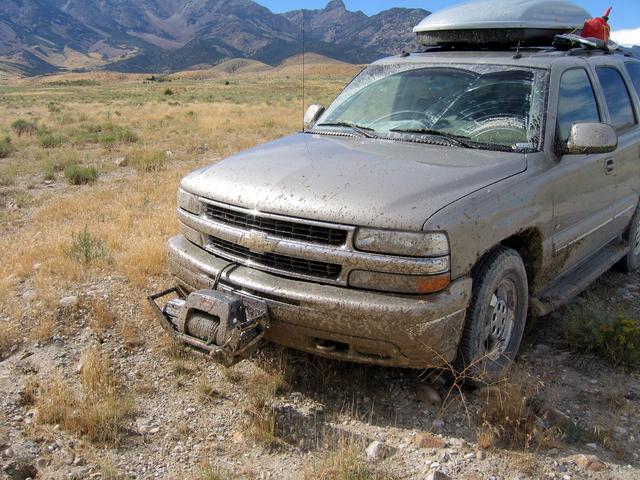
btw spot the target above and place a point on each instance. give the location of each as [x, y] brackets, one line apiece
[284, 263]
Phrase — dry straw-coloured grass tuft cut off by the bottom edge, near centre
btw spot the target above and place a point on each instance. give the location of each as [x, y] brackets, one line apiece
[345, 462]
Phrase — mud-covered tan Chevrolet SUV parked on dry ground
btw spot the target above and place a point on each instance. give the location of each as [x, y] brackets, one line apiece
[440, 198]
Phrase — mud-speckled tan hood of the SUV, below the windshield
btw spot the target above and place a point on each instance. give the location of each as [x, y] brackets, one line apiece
[354, 181]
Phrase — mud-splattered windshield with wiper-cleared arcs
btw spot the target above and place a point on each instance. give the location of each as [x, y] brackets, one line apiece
[491, 105]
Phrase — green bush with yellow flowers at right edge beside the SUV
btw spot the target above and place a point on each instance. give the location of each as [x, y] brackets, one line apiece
[612, 334]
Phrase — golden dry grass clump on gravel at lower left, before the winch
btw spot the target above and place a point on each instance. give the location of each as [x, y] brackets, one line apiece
[99, 412]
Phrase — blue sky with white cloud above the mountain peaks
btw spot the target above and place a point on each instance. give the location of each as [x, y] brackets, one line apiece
[625, 16]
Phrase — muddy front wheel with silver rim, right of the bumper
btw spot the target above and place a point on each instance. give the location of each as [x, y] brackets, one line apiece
[496, 317]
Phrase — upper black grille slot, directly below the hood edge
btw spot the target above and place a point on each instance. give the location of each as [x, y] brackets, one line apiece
[277, 227]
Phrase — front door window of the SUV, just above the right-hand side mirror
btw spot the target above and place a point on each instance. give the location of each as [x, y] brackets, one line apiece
[577, 102]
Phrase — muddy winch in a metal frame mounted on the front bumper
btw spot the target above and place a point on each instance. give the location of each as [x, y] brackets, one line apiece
[222, 325]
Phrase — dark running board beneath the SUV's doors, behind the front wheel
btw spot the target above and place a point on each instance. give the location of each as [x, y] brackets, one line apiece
[571, 284]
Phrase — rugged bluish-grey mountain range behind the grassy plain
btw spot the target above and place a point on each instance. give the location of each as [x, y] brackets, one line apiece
[47, 36]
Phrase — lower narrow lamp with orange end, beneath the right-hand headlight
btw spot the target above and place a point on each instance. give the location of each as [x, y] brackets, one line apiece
[398, 283]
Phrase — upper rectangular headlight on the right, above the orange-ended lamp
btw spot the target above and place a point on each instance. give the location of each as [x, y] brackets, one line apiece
[409, 244]
